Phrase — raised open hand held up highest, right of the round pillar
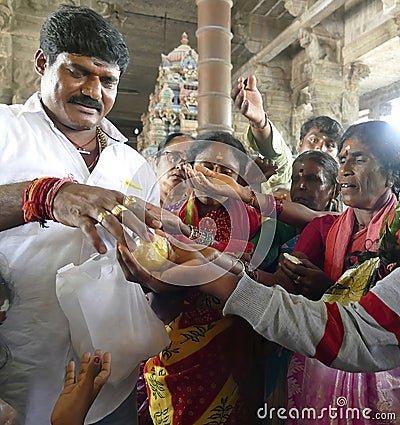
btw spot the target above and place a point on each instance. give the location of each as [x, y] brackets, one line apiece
[248, 99]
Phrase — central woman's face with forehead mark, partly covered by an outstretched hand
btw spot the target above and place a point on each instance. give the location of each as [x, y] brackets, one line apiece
[221, 159]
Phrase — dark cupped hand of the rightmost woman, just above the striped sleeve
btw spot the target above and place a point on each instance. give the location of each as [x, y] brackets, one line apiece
[310, 279]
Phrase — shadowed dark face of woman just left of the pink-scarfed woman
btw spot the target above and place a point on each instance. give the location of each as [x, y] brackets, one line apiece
[310, 186]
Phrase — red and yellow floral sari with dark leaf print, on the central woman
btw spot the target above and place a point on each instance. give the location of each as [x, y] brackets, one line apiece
[207, 375]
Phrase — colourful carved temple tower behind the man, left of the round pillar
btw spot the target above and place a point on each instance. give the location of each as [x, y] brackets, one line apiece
[173, 104]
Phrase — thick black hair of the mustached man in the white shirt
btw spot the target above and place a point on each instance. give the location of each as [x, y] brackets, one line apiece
[80, 30]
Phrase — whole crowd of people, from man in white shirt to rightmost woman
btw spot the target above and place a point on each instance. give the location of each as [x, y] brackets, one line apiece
[286, 300]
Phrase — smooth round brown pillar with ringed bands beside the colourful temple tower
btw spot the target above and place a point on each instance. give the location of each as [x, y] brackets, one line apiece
[214, 65]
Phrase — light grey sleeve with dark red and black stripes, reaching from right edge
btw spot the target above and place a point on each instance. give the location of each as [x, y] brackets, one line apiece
[362, 337]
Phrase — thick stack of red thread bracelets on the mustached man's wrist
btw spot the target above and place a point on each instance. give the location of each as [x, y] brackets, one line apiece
[38, 198]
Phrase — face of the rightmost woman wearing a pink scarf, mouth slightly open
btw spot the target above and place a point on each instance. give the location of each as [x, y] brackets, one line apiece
[361, 177]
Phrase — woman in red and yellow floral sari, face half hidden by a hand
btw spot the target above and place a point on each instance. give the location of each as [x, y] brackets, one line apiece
[202, 377]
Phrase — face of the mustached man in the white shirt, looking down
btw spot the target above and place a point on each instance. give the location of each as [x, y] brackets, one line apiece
[77, 91]
